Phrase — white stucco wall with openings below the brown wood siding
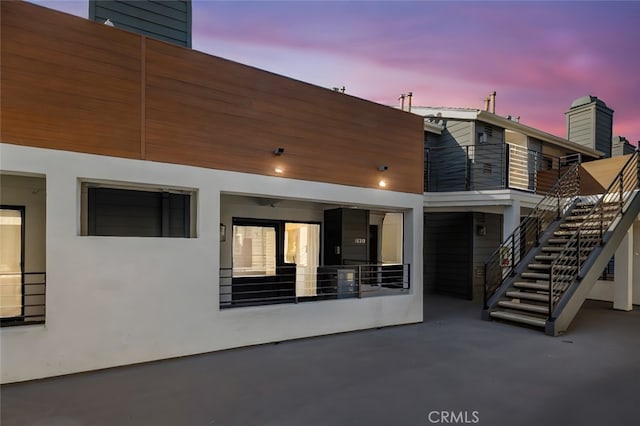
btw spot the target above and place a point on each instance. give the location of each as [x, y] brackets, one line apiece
[114, 300]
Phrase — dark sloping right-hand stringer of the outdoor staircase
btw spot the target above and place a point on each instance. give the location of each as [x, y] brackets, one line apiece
[572, 300]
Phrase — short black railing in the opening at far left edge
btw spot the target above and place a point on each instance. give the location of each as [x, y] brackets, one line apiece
[22, 298]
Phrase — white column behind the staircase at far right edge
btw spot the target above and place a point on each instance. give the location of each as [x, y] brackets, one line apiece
[623, 284]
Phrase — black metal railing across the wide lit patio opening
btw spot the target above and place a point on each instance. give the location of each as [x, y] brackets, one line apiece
[293, 284]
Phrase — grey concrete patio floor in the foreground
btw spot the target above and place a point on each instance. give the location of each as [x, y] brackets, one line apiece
[406, 375]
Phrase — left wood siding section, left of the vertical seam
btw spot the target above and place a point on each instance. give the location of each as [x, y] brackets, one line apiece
[68, 83]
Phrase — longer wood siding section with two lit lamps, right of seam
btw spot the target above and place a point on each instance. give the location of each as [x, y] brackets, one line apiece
[210, 112]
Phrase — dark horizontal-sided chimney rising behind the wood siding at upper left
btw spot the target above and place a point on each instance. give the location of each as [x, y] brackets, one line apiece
[148, 18]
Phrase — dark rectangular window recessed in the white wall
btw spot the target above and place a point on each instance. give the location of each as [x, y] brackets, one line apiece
[135, 213]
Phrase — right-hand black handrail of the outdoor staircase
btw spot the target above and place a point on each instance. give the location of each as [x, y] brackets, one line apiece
[565, 269]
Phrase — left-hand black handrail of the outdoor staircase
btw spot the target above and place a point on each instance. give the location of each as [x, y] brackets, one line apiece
[506, 257]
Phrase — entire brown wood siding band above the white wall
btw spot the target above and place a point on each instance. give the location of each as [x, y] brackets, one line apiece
[77, 85]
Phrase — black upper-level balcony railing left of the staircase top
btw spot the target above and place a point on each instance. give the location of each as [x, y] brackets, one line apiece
[490, 166]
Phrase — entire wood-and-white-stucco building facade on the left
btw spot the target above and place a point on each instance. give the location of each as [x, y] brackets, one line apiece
[148, 189]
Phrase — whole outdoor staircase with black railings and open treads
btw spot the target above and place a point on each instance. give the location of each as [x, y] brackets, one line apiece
[543, 272]
